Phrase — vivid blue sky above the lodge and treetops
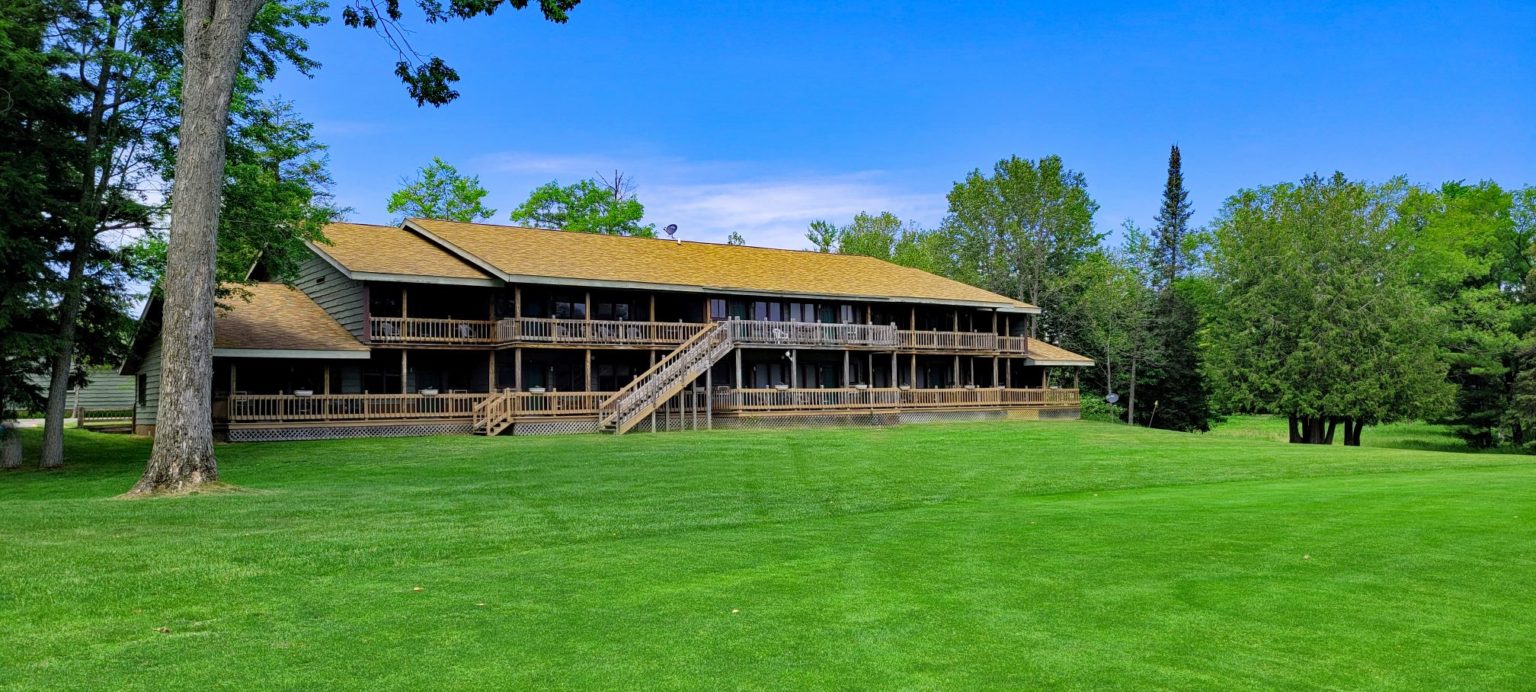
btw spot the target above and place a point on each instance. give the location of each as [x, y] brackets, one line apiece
[761, 117]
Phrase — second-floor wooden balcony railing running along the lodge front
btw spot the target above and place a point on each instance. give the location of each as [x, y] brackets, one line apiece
[638, 334]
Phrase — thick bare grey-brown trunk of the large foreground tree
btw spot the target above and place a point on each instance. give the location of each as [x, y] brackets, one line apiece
[184, 455]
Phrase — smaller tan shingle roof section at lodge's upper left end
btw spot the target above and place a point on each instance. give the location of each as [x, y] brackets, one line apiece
[392, 251]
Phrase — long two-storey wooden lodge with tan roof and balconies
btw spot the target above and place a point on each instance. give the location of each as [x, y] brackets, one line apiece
[446, 328]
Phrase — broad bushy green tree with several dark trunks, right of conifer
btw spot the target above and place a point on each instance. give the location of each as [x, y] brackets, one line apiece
[1319, 318]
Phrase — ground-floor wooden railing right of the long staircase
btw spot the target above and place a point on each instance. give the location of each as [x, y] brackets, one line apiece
[856, 400]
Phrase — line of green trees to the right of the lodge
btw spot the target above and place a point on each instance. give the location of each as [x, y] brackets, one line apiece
[1331, 302]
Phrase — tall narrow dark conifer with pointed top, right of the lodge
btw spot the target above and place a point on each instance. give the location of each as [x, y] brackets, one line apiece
[1173, 389]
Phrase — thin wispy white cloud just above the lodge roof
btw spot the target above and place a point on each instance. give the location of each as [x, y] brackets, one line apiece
[709, 200]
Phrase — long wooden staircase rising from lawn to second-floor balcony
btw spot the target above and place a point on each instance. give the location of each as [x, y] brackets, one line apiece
[666, 380]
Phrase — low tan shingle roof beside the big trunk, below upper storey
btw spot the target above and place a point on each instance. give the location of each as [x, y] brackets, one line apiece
[279, 318]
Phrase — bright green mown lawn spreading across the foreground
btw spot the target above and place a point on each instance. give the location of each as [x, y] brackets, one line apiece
[956, 556]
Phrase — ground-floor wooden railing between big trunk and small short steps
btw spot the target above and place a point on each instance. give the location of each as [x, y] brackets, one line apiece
[245, 409]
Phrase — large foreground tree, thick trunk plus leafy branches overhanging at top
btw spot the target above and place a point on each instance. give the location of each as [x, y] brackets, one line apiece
[216, 36]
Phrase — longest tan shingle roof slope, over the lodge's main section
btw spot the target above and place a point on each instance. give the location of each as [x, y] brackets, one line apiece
[552, 254]
